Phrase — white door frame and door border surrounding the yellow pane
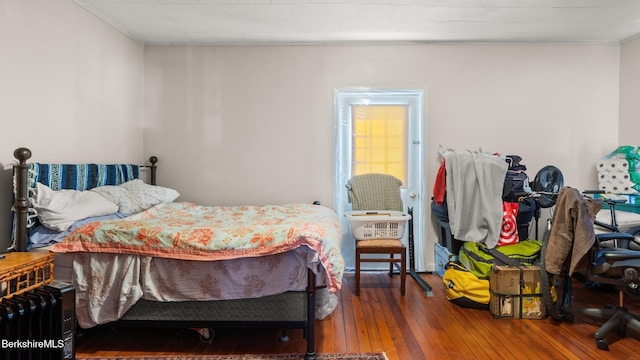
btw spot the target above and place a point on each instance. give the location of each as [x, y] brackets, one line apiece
[344, 98]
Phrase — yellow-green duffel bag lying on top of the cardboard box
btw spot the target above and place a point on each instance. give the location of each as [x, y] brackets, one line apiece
[478, 259]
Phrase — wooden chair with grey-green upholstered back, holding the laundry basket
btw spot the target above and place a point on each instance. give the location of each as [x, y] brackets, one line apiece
[376, 192]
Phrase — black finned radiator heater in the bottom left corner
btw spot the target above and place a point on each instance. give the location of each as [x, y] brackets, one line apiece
[39, 324]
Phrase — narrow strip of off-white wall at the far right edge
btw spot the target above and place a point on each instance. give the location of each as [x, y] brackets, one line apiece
[629, 90]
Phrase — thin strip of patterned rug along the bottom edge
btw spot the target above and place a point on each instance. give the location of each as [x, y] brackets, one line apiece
[365, 356]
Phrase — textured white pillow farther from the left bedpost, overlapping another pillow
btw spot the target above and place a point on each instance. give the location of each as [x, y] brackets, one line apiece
[135, 195]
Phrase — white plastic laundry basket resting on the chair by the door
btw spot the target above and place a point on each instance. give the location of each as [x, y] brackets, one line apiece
[378, 224]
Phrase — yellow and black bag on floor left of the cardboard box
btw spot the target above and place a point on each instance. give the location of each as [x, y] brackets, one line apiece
[463, 288]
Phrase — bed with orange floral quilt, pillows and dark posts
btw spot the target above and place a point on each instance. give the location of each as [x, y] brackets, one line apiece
[153, 259]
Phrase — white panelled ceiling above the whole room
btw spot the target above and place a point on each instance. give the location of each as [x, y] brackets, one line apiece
[370, 21]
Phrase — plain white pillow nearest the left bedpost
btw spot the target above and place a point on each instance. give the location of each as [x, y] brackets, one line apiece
[58, 210]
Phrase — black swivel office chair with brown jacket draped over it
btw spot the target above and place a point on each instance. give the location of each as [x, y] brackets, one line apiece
[603, 258]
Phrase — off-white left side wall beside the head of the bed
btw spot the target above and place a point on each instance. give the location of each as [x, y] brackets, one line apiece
[70, 89]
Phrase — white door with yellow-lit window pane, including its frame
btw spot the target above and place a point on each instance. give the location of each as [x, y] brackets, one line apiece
[380, 130]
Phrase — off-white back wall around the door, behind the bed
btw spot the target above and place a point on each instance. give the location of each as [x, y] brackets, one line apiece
[254, 124]
